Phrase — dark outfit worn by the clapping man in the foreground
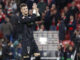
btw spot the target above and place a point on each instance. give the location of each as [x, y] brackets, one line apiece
[26, 30]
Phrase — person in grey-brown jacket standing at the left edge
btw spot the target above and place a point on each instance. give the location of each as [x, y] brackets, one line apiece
[7, 28]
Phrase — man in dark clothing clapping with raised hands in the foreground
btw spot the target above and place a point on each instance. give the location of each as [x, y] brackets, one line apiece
[29, 46]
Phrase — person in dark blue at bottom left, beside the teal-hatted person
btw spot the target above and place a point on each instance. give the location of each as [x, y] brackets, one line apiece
[8, 51]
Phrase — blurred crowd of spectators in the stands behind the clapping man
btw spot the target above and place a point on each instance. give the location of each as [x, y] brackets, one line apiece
[62, 16]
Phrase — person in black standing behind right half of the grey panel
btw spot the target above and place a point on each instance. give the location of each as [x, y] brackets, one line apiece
[50, 15]
